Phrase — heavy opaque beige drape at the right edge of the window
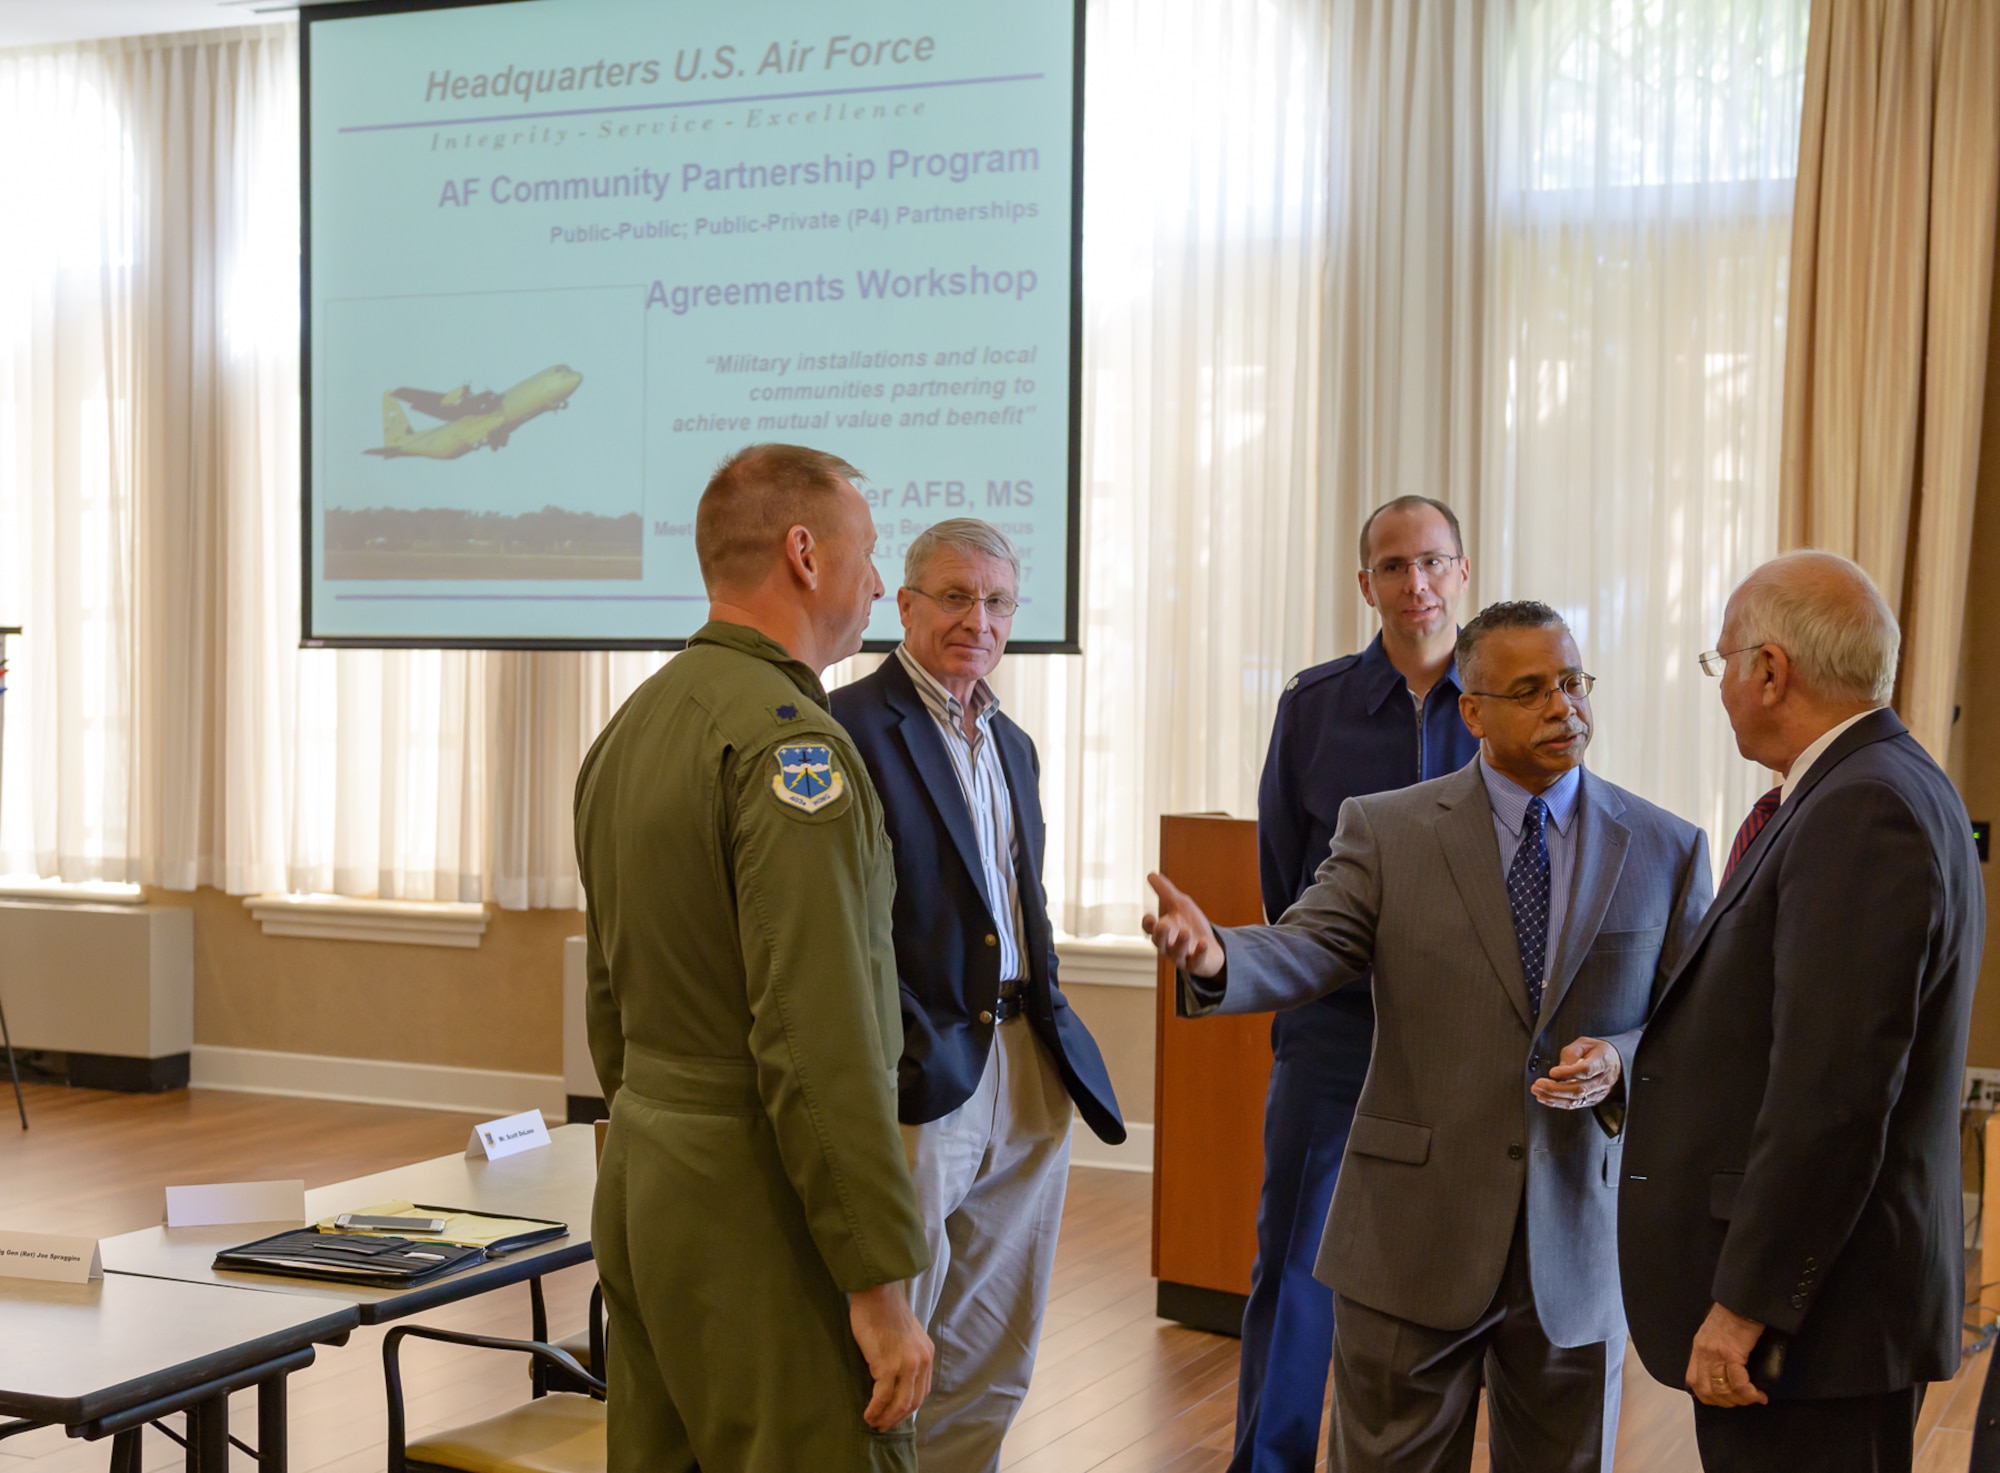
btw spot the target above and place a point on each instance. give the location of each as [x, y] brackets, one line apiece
[1893, 261]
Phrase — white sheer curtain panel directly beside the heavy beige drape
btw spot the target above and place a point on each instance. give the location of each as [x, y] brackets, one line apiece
[1637, 267]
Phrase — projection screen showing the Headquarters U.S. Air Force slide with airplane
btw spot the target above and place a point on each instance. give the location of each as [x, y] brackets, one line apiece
[563, 257]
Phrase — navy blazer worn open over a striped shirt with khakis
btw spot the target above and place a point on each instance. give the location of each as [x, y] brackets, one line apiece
[947, 972]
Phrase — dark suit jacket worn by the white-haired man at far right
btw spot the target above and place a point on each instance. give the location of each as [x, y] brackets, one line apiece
[1793, 1136]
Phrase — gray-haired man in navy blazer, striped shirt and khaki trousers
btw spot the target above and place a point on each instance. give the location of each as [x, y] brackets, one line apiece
[993, 1054]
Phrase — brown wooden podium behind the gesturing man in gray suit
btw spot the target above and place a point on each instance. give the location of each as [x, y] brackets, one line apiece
[1209, 1098]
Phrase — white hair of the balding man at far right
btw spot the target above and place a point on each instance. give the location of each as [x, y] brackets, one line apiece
[1829, 617]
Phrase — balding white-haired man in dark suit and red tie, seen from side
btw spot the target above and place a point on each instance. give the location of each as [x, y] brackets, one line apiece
[1791, 1214]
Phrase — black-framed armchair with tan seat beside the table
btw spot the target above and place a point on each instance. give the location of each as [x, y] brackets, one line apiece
[559, 1432]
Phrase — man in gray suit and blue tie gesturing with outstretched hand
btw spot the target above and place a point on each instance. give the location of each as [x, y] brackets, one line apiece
[1503, 912]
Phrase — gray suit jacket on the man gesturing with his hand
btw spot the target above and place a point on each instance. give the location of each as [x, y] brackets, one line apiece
[1447, 1138]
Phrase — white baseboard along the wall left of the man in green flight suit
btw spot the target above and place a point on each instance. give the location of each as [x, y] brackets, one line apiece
[377, 1082]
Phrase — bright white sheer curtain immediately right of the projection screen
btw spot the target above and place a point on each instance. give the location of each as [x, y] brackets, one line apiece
[1205, 539]
